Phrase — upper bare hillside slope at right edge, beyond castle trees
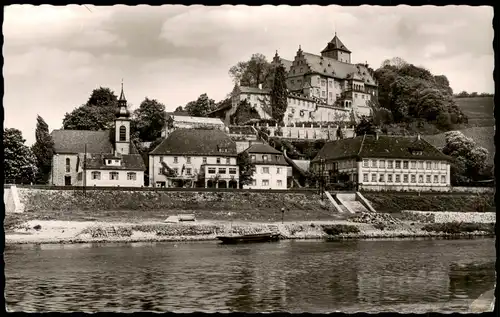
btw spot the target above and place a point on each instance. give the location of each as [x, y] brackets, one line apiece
[479, 110]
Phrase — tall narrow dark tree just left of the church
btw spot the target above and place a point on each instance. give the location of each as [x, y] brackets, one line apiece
[43, 149]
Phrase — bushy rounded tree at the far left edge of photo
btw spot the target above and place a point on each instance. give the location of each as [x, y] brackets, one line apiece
[19, 161]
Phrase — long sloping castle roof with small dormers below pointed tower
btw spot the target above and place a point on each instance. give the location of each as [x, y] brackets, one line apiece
[334, 68]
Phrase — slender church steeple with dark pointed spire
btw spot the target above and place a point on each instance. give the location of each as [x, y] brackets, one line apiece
[122, 126]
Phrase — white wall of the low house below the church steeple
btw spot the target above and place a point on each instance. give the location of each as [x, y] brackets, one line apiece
[105, 179]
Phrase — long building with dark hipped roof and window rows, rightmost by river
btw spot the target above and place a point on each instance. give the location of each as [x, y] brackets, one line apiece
[386, 163]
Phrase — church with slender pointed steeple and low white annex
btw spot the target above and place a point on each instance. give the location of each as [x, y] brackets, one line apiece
[98, 158]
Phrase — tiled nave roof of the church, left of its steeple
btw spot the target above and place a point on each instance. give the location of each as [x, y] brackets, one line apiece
[74, 141]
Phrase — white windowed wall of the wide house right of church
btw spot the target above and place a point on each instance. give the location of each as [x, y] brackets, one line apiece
[155, 165]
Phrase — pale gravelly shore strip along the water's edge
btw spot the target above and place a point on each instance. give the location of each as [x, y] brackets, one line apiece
[56, 231]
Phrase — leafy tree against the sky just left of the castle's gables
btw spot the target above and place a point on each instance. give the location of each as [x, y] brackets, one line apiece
[251, 73]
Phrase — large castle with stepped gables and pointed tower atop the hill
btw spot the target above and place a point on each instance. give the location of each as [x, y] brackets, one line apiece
[322, 88]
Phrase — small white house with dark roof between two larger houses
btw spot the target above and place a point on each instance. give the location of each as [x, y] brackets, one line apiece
[271, 169]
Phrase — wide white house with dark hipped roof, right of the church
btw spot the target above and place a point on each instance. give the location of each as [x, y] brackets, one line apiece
[194, 158]
